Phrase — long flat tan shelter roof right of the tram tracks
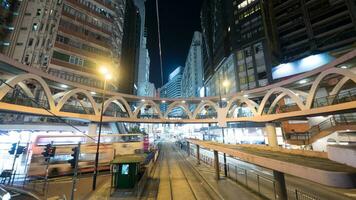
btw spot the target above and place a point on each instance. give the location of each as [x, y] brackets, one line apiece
[313, 166]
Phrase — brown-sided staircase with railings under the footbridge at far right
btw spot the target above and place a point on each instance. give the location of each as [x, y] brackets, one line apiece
[325, 128]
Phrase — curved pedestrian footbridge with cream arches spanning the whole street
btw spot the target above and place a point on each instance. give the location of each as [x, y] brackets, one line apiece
[326, 90]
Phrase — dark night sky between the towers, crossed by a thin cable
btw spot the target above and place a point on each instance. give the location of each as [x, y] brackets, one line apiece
[178, 20]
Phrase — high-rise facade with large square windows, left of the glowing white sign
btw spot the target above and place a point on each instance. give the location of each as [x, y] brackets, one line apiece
[251, 43]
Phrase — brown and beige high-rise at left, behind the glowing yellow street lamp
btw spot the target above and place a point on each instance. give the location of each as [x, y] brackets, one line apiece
[71, 39]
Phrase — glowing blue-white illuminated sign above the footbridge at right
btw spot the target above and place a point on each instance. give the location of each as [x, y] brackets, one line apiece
[303, 65]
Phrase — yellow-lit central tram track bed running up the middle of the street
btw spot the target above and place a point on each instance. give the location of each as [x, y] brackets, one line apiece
[174, 178]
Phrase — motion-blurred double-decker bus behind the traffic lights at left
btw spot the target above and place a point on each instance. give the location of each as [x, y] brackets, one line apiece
[110, 145]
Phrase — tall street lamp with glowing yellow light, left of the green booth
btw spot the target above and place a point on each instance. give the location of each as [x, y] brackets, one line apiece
[107, 76]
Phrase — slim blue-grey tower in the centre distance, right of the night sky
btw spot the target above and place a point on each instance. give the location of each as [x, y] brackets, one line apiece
[192, 78]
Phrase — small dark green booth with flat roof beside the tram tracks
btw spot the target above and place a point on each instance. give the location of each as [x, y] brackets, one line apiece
[126, 170]
